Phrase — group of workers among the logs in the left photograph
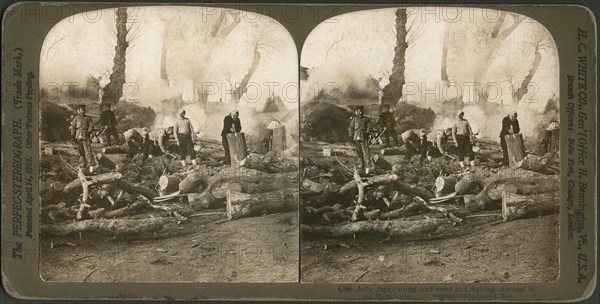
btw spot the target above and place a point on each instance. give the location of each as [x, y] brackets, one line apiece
[143, 140]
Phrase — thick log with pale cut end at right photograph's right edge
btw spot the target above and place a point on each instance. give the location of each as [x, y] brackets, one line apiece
[520, 207]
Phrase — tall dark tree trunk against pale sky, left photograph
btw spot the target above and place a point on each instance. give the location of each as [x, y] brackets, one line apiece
[114, 89]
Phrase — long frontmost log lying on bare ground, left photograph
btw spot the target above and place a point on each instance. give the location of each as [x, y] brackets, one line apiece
[112, 227]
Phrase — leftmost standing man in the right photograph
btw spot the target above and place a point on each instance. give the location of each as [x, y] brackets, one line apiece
[359, 129]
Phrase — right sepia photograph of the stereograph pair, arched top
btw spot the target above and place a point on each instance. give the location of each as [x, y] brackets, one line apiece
[429, 147]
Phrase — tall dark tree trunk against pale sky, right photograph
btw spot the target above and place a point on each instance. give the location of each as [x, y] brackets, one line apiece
[393, 91]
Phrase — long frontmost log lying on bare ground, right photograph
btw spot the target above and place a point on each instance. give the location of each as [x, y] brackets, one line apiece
[392, 228]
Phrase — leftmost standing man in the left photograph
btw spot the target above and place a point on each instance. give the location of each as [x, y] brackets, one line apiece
[81, 128]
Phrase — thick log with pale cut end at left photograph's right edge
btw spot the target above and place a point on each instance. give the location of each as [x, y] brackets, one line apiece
[240, 205]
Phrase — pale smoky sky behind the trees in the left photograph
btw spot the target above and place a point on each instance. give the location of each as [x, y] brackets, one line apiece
[83, 45]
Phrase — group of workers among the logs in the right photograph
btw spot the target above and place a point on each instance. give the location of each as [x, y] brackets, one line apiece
[420, 142]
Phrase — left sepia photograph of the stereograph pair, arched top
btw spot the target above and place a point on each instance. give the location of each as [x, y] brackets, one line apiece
[169, 147]
